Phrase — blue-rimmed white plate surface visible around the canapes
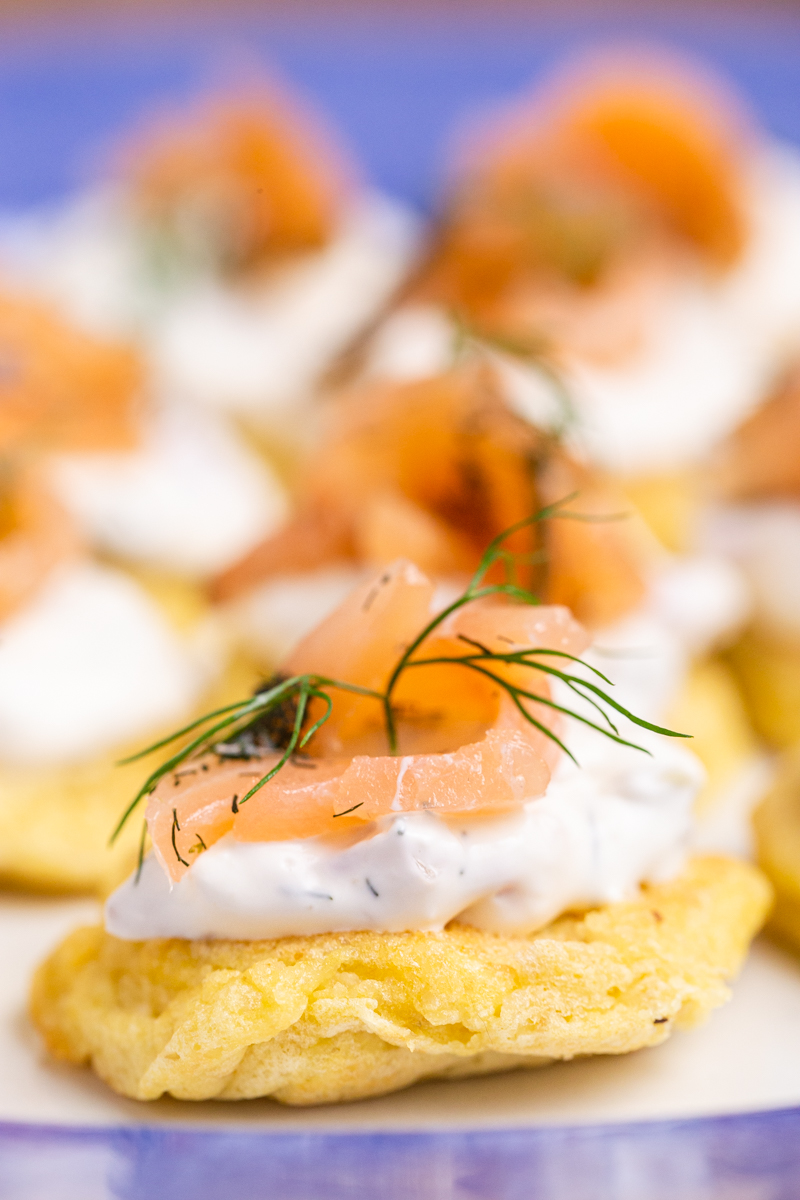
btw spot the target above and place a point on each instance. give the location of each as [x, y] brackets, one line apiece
[713, 1114]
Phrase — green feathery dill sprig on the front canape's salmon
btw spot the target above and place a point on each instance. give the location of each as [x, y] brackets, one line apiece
[236, 719]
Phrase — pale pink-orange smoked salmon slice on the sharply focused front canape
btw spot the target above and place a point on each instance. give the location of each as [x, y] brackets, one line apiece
[464, 745]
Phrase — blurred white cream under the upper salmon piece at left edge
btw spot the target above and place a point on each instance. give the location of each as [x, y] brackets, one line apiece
[191, 500]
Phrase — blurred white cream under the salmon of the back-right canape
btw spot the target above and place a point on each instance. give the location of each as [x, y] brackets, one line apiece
[663, 406]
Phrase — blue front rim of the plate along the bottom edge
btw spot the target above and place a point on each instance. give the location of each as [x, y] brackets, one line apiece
[753, 1156]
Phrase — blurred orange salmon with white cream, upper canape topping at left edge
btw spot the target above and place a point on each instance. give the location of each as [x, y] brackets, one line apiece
[149, 482]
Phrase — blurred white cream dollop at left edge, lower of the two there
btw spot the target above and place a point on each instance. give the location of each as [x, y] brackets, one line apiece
[88, 664]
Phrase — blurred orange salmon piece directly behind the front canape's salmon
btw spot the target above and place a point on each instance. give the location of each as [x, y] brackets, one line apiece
[434, 471]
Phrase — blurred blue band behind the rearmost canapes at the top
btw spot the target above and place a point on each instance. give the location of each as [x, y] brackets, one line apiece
[396, 87]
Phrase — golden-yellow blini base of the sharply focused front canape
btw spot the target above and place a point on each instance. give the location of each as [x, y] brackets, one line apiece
[340, 1017]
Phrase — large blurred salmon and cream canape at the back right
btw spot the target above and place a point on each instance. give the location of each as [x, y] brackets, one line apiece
[629, 226]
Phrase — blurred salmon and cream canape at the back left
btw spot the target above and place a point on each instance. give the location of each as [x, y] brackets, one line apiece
[238, 243]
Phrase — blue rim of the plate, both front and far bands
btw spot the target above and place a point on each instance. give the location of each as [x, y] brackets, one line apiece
[395, 83]
